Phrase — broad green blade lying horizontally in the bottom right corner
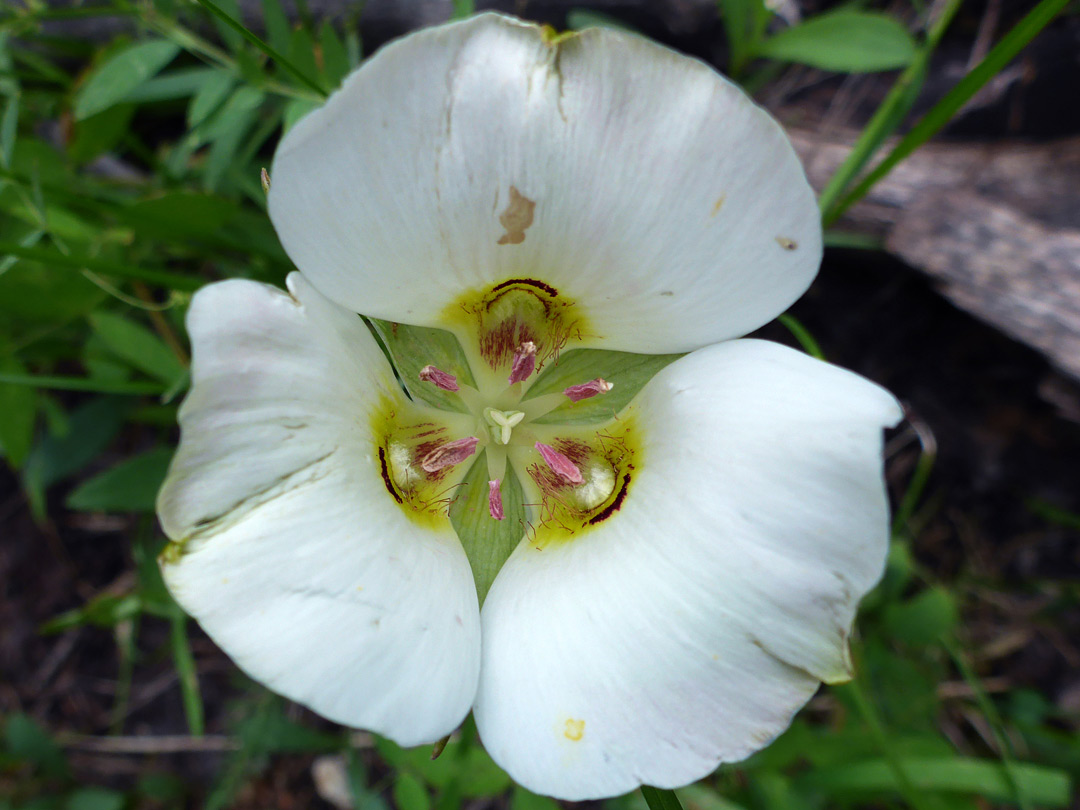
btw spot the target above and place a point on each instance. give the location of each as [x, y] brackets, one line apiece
[1044, 787]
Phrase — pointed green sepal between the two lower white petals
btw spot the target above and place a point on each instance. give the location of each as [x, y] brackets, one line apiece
[488, 543]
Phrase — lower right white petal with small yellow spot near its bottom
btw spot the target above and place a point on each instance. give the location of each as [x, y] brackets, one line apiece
[687, 629]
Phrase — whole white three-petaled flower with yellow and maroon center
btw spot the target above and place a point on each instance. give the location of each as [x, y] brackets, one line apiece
[686, 574]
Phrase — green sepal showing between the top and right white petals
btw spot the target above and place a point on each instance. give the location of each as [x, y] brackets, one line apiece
[628, 374]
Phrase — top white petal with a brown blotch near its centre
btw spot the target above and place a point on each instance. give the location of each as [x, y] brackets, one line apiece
[669, 208]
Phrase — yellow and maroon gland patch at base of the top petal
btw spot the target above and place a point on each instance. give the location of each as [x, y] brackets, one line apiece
[517, 313]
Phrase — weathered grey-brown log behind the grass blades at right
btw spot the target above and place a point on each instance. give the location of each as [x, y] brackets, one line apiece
[996, 225]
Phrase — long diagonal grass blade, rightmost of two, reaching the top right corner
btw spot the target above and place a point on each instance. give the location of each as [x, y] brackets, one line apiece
[948, 107]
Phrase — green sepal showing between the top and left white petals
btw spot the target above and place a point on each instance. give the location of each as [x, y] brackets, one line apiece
[412, 348]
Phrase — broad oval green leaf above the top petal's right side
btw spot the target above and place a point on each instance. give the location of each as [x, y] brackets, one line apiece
[845, 42]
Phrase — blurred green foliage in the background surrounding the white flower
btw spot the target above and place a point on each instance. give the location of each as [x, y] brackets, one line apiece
[130, 177]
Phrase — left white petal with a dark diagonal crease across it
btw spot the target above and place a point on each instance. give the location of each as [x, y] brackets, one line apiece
[296, 560]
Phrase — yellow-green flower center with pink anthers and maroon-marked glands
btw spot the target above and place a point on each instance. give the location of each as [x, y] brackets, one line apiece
[505, 463]
